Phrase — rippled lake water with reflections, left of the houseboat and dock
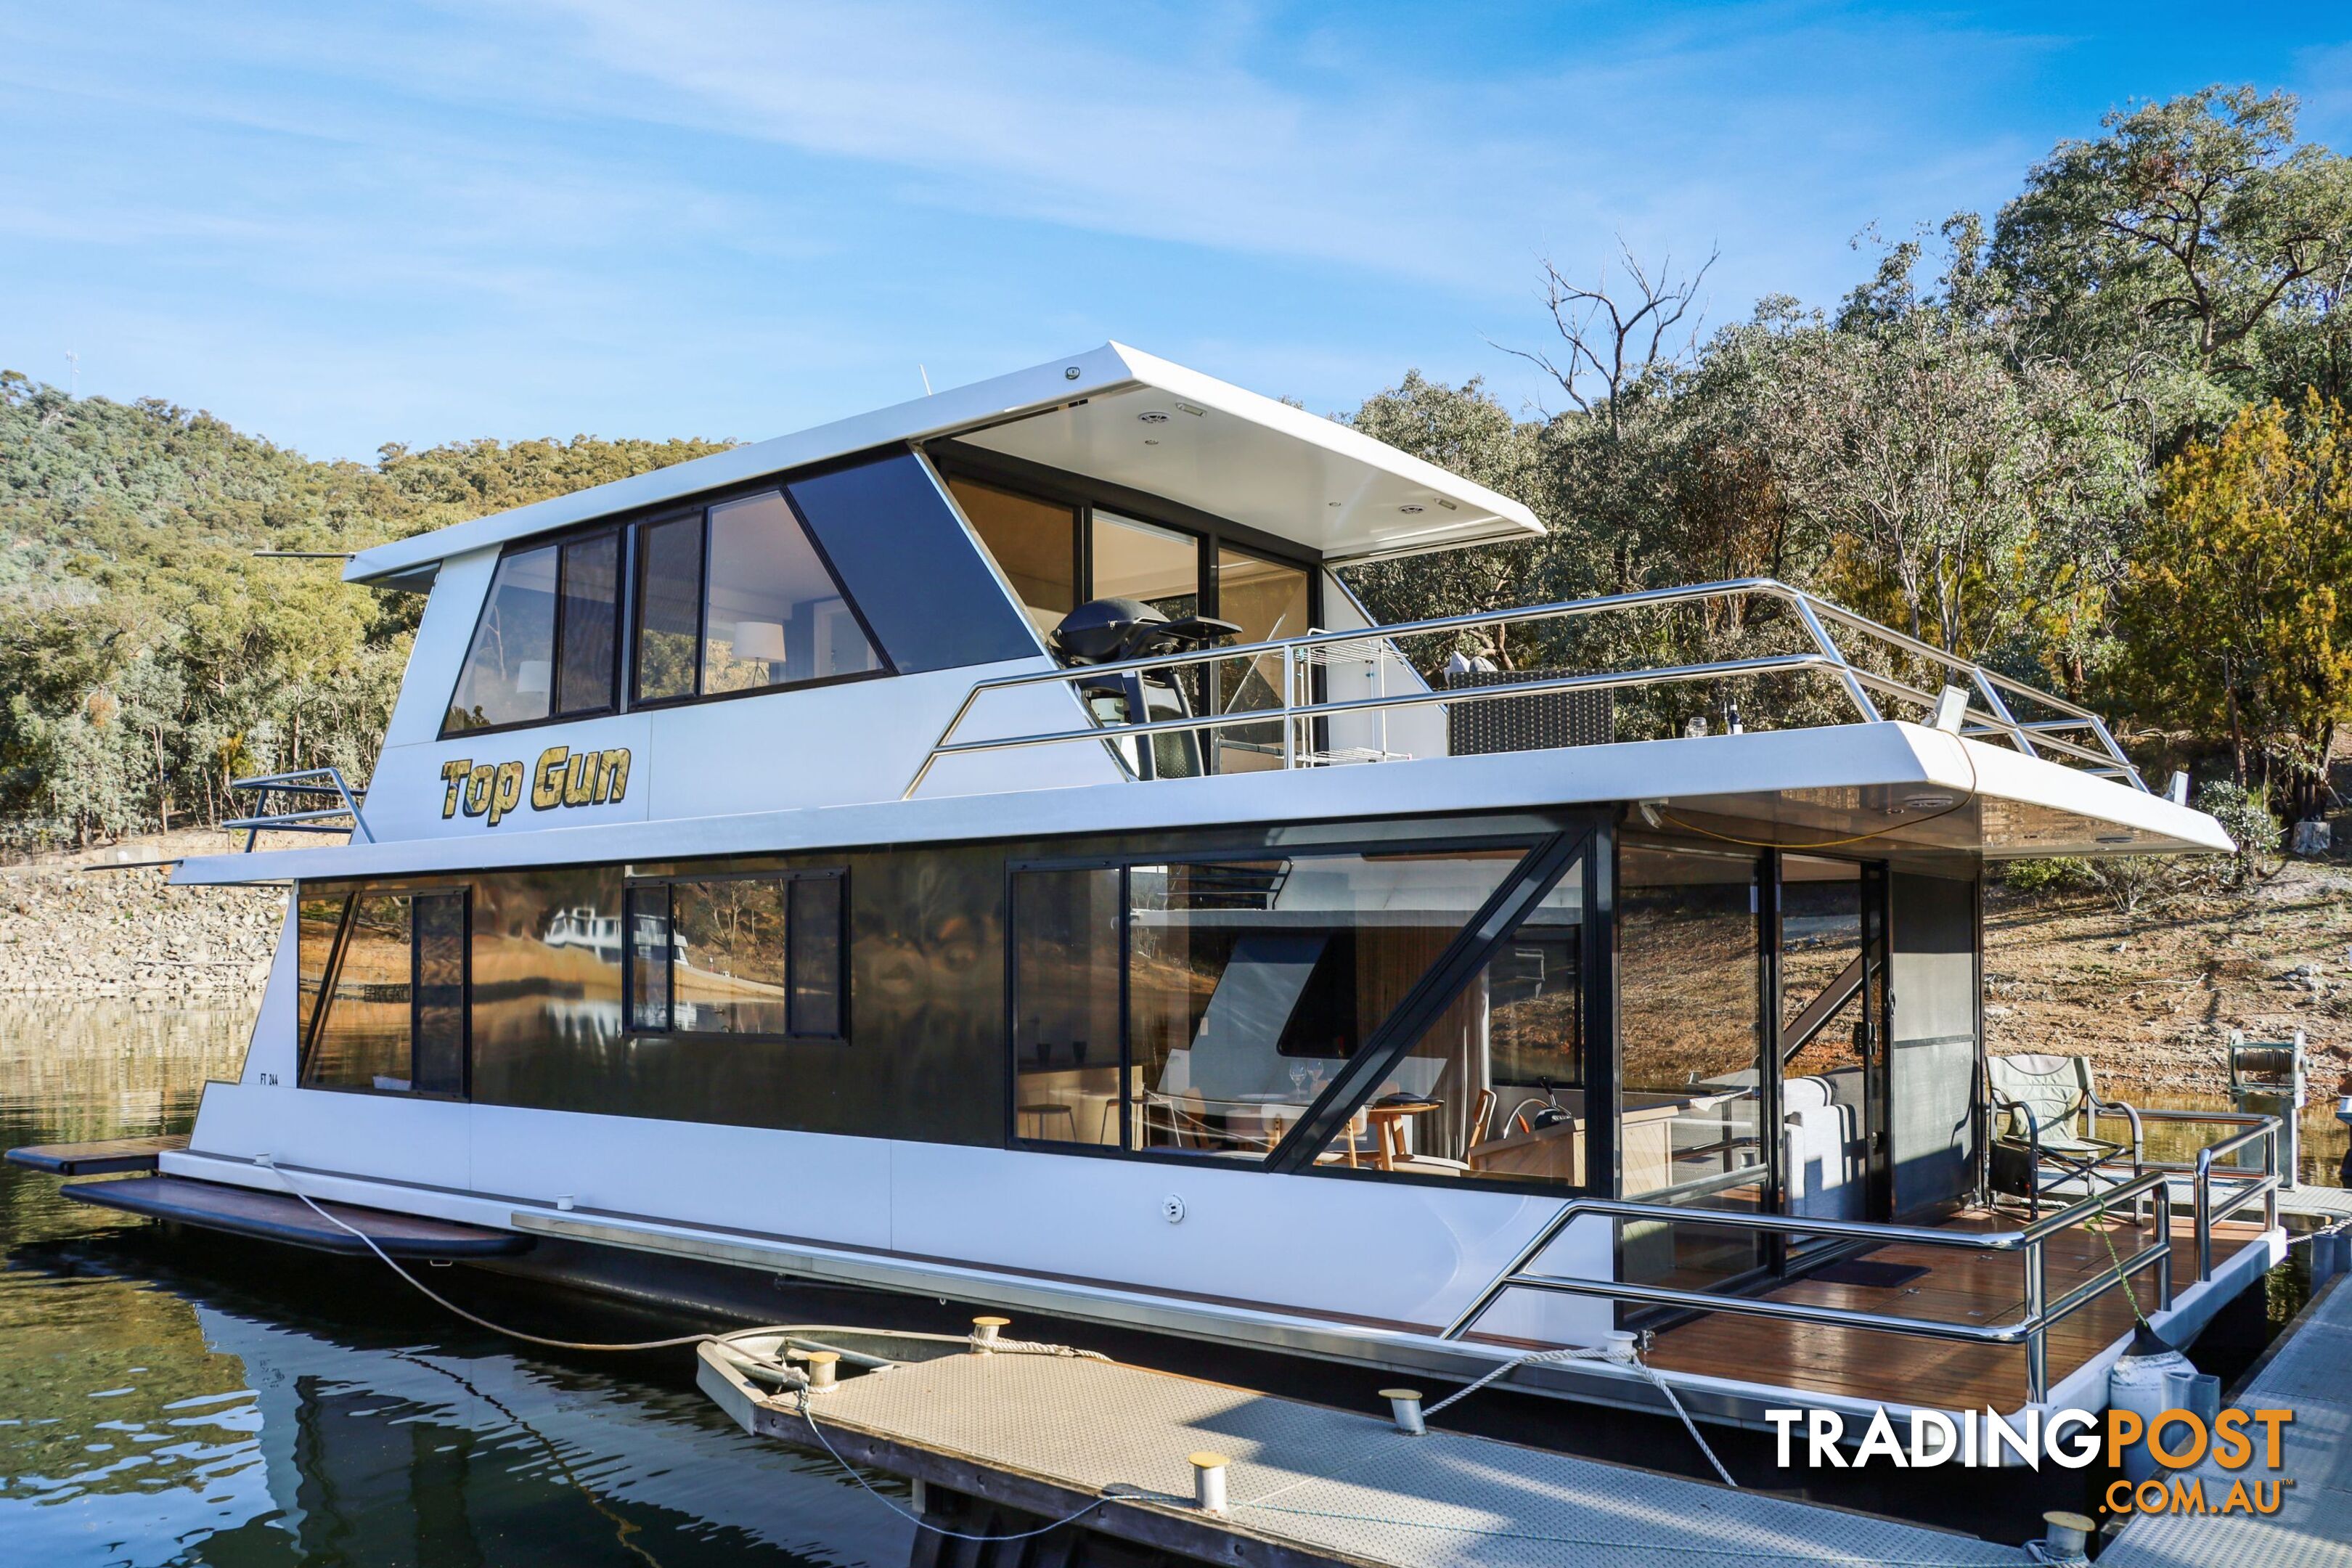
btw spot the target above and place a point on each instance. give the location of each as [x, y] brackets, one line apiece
[211, 1402]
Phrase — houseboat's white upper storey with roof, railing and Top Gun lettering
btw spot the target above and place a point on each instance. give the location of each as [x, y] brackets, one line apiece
[843, 636]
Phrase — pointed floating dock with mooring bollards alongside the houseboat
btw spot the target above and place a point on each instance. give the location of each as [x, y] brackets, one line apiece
[1307, 1485]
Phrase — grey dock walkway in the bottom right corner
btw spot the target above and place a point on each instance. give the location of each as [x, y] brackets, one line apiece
[2311, 1374]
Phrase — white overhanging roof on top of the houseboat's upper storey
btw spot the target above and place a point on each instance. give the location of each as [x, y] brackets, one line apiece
[1111, 415]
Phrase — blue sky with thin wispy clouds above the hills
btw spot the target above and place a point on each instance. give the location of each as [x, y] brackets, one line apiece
[349, 225]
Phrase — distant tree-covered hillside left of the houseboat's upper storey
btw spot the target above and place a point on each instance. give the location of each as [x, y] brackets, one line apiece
[147, 655]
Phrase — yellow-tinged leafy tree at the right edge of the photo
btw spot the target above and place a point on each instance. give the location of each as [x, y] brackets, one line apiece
[2238, 612]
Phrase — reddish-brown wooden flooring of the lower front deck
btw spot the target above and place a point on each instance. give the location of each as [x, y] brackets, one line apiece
[1958, 1287]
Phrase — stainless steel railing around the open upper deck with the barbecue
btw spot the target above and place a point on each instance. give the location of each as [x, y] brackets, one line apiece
[2076, 735]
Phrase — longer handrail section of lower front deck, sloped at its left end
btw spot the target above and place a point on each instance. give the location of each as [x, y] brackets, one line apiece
[2031, 1329]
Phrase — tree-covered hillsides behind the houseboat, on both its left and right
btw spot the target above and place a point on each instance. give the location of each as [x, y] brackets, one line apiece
[2097, 441]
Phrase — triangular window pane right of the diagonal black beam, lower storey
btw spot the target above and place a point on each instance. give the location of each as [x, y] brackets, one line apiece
[1502, 1073]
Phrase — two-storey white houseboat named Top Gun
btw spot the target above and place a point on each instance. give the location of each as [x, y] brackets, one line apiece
[987, 852]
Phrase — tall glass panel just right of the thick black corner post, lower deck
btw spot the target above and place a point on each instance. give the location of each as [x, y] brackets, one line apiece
[1690, 1036]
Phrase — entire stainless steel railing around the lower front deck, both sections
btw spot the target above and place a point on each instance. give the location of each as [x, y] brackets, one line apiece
[2151, 1191]
